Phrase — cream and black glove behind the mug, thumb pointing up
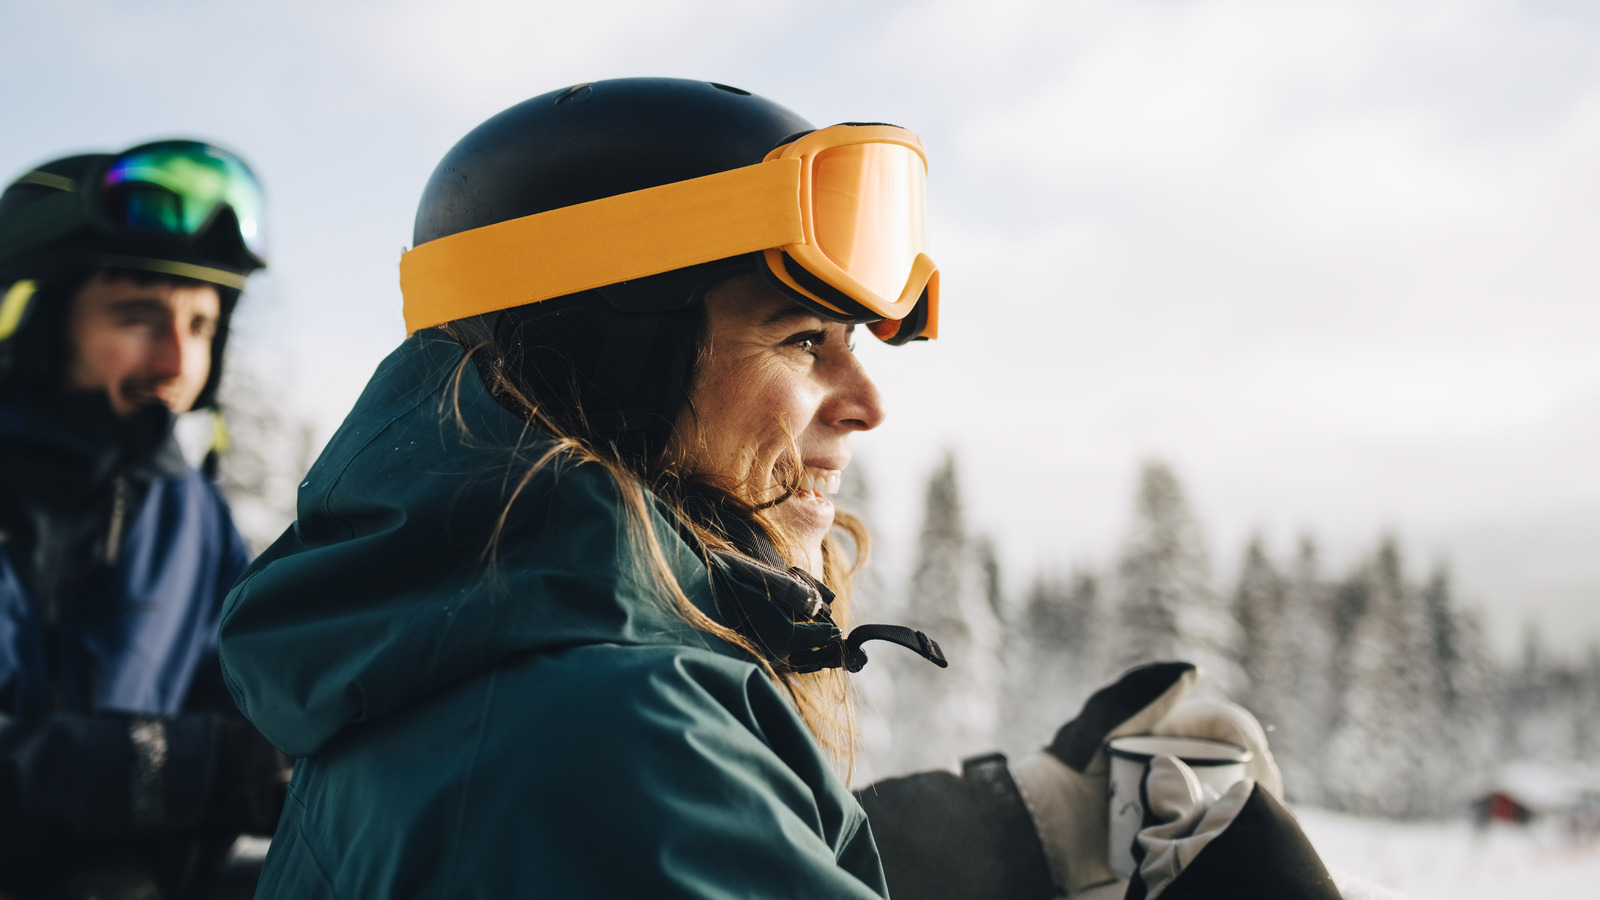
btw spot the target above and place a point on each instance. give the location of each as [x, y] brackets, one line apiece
[1068, 785]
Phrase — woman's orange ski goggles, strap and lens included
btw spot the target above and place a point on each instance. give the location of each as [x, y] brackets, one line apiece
[836, 217]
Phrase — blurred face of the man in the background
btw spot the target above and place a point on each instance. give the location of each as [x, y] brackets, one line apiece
[143, 344]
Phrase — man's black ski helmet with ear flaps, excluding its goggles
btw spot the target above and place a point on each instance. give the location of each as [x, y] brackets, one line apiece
[52, 236]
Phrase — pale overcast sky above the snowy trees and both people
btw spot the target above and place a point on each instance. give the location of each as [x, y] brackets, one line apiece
[1335, 262]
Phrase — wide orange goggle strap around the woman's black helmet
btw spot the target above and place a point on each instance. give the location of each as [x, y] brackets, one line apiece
[602, 243]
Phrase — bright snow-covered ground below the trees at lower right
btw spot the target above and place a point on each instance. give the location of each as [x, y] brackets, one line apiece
[1450, 861]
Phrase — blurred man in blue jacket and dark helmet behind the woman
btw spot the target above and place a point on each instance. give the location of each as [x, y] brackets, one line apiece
[126, 771]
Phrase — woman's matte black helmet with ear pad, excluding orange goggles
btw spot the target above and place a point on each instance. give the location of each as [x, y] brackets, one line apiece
[612, 363]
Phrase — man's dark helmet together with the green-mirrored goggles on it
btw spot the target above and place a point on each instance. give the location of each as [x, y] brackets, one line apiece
[89, 212]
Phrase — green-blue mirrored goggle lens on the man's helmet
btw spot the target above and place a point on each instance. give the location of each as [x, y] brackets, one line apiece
[178, 187]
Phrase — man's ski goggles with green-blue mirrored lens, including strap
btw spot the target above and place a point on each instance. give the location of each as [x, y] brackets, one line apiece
[167, 190]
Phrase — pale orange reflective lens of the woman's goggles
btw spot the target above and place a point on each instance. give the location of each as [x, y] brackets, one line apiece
[870, 209]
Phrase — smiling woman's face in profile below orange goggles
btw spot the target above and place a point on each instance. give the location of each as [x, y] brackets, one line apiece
[777, 372]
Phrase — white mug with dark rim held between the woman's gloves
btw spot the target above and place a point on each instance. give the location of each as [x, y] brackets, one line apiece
[1217, 765]
